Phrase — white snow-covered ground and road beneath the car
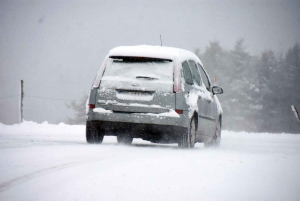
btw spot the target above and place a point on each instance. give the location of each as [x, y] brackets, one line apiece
[53, 162]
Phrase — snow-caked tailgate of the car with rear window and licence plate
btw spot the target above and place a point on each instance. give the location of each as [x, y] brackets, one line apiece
[136, 85]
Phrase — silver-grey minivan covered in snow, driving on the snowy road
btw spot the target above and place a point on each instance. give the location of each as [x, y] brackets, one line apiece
[159, 94]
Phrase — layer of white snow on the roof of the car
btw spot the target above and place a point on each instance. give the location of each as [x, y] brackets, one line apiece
[154, 52]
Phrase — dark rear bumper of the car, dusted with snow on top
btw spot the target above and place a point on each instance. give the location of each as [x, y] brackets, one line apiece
[150, 127]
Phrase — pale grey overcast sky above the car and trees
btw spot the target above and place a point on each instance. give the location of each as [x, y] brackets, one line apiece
[58, 46]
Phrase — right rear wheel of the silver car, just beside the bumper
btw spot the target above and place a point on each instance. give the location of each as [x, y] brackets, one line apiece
[188, 140]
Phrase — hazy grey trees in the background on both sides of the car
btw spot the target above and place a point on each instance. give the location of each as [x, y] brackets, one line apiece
[258, 90]
